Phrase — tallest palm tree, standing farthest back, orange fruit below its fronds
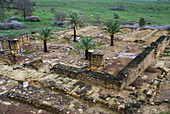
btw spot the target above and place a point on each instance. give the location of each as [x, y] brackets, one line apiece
[74, 20]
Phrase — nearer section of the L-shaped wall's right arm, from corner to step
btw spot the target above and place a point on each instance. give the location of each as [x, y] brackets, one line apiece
[129, 73]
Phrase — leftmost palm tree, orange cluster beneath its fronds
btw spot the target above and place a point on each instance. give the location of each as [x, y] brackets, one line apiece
[45, 34]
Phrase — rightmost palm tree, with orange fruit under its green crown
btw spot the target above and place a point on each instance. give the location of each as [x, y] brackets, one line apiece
[112, 28]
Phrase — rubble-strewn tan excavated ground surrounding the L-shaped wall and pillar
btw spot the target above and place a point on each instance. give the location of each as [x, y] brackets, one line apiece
[63, 94]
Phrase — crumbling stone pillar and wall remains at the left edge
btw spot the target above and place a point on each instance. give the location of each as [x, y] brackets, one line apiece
[10, 47]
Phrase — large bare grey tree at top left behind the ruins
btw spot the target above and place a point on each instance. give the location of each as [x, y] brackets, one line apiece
[24, 6]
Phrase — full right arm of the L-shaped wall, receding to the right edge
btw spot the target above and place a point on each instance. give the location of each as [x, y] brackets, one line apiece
[129, 73]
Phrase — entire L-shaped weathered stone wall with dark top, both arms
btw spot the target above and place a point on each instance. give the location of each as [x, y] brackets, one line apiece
[126, 76]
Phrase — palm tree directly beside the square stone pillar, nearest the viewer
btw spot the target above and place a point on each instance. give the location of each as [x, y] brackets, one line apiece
[86, 43]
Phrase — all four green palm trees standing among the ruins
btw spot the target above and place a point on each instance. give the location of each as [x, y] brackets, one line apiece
[86, 42]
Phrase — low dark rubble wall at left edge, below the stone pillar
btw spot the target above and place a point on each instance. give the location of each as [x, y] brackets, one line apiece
[7, 57]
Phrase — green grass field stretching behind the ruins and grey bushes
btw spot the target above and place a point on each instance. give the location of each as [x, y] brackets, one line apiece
[150, 10]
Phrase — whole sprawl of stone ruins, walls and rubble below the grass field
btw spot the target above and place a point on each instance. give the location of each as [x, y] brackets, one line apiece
[125, 78]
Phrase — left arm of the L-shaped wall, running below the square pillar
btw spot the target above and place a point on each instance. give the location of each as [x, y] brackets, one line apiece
[105, 80]
